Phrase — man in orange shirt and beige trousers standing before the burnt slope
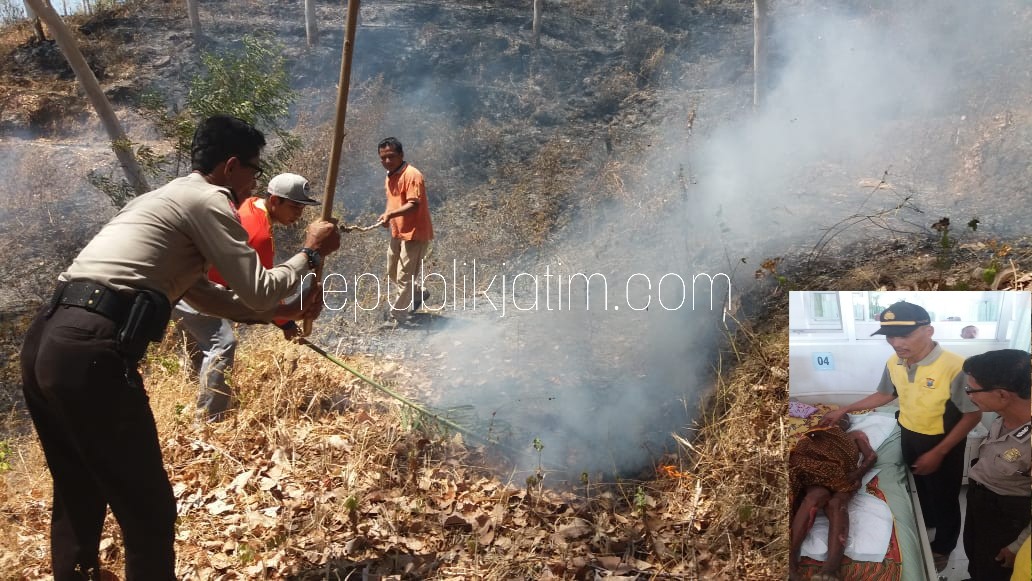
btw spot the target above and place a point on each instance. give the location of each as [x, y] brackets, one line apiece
[408, 216]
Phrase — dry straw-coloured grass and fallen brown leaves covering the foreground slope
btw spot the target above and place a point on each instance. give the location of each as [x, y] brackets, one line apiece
[317, 475]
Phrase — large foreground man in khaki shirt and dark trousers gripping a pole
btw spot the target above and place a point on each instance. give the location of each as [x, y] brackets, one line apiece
[81, 354]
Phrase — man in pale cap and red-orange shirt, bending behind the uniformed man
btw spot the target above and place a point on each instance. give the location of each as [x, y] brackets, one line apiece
[210, 340]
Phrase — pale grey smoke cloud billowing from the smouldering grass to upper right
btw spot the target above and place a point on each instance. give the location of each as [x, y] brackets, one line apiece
[907, 94]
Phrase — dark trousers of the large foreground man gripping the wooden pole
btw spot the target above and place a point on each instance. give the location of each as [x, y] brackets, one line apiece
[94, 423]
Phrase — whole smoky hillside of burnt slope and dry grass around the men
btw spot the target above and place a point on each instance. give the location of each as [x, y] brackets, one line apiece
[597, 384]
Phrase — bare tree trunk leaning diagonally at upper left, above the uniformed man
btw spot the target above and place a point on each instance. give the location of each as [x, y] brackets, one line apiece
[120, 144]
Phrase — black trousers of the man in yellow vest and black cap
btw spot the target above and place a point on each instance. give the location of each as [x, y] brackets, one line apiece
[941, 492]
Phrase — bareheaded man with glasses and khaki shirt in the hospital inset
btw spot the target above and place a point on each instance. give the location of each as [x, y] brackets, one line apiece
[999, 499]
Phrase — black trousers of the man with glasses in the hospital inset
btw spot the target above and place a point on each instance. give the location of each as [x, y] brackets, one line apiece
[993, 522]
